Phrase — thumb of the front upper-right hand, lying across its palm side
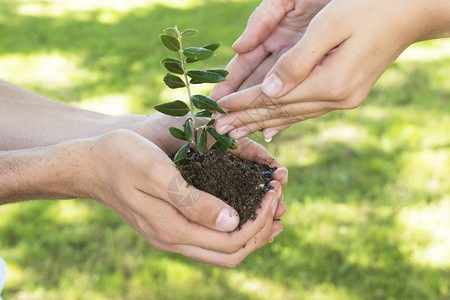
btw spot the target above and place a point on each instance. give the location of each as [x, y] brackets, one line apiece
[296, 64]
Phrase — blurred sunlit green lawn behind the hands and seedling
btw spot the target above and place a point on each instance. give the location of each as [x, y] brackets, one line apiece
[369, 192]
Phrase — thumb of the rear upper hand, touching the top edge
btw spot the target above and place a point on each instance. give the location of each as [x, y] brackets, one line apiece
[261, 24]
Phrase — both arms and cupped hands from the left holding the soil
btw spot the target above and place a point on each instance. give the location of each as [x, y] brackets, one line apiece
[54, 151]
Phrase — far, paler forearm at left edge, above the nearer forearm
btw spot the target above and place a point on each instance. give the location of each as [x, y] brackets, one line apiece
[29, 120]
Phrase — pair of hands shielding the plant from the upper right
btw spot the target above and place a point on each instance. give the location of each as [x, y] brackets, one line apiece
[299, 59]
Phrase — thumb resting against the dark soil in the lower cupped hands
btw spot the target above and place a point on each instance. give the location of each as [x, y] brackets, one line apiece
[201, 207]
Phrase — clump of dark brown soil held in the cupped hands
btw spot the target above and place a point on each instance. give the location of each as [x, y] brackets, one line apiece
[240, 184]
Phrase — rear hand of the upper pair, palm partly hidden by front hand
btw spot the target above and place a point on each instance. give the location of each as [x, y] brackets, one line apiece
[274, 27]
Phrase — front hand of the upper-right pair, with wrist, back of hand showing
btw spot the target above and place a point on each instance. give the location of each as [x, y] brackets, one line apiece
[345, 49]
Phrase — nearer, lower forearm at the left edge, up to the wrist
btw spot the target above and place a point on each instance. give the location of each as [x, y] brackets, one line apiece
[52, 172]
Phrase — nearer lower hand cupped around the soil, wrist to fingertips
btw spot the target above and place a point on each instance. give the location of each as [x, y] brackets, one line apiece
[141, 184]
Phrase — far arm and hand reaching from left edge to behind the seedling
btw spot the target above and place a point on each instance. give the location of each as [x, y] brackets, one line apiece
[28, 120]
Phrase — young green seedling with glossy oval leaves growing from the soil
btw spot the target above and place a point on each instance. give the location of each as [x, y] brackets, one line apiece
[199, 105]
